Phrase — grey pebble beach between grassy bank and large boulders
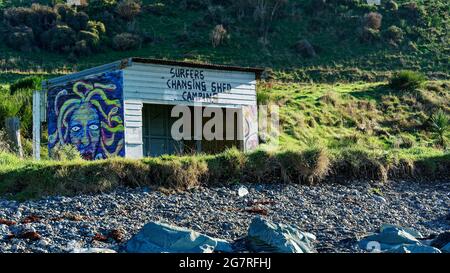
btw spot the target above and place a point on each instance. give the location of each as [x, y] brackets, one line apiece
[338, 214]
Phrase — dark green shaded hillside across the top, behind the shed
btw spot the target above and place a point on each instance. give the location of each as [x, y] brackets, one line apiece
[335, 28]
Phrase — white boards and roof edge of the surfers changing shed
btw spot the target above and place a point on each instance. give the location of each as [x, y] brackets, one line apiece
[156, 81]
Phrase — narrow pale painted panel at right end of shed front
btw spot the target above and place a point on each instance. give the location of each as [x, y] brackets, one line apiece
[250, 114]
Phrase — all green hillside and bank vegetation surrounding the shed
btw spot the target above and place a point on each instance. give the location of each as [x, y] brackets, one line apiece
[364, 91]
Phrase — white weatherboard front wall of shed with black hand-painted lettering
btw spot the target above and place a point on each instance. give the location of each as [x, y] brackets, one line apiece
[147, 83]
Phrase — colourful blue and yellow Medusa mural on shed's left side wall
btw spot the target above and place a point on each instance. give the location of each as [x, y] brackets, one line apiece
[88, 114]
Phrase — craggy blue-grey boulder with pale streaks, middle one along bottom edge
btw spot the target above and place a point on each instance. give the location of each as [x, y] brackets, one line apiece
[265, 236]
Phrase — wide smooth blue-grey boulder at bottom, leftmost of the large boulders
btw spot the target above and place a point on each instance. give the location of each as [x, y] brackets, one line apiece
[156, 237]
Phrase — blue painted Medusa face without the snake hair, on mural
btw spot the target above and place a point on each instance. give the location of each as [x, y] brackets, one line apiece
[84, 130]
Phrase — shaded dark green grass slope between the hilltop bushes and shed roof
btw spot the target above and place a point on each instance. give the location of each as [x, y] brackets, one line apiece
[334, 33]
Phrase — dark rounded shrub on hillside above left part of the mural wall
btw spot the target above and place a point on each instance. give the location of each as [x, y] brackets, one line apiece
[59, 38]
